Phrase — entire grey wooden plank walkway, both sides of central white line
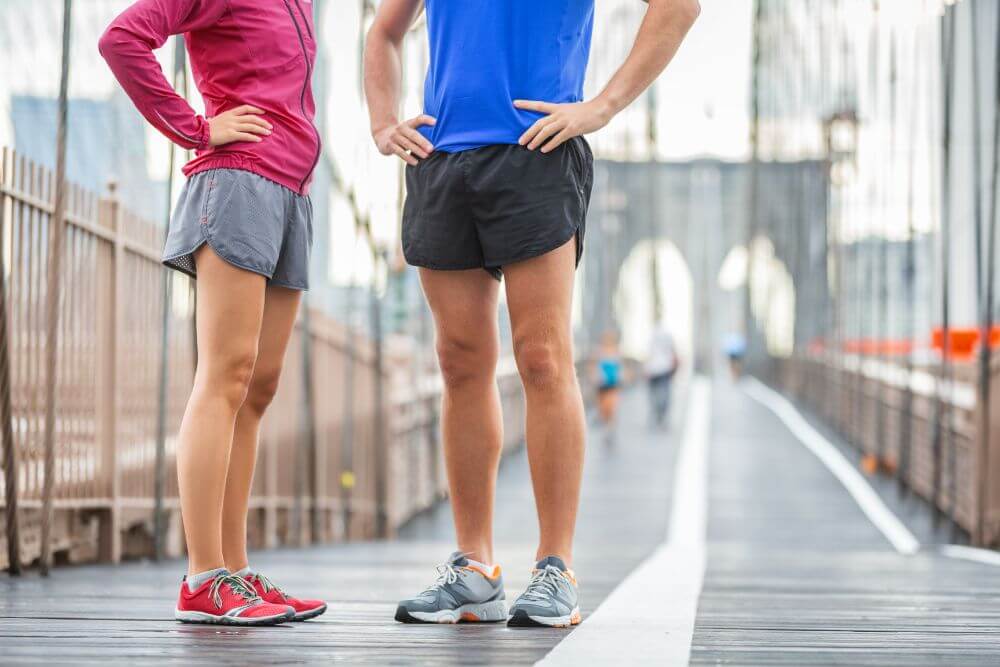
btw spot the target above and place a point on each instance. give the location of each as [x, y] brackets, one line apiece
[796, 575]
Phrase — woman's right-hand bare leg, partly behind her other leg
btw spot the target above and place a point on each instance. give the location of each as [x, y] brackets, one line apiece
[280, 308]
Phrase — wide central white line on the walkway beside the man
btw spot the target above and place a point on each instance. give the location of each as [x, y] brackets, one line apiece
[649, 618]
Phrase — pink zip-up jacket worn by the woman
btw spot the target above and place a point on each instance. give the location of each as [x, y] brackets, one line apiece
[258, 52]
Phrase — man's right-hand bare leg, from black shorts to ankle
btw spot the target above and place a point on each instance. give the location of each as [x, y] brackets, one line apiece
[540, 296]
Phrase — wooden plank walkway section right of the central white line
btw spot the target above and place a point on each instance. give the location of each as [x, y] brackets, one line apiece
[797, 575]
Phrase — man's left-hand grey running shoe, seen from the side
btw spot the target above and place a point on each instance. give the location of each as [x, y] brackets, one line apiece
[461, 593]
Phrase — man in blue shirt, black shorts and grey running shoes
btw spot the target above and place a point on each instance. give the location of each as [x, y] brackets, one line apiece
[498, 183]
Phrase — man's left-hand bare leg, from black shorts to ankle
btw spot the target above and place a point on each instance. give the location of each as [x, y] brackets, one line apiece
[464, 304]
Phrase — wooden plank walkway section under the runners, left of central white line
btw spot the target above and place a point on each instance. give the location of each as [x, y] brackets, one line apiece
[624, 515]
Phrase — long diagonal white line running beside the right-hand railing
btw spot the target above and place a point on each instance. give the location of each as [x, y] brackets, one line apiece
[871, 504]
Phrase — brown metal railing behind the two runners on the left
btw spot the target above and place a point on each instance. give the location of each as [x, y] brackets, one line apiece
[318, 480]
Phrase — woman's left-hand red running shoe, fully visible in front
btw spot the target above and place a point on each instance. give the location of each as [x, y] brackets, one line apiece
[228, 600]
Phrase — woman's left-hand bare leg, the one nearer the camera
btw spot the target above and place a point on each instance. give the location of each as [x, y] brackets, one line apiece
[230, 306]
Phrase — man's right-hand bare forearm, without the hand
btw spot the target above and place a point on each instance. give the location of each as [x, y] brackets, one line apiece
[663, 29]
